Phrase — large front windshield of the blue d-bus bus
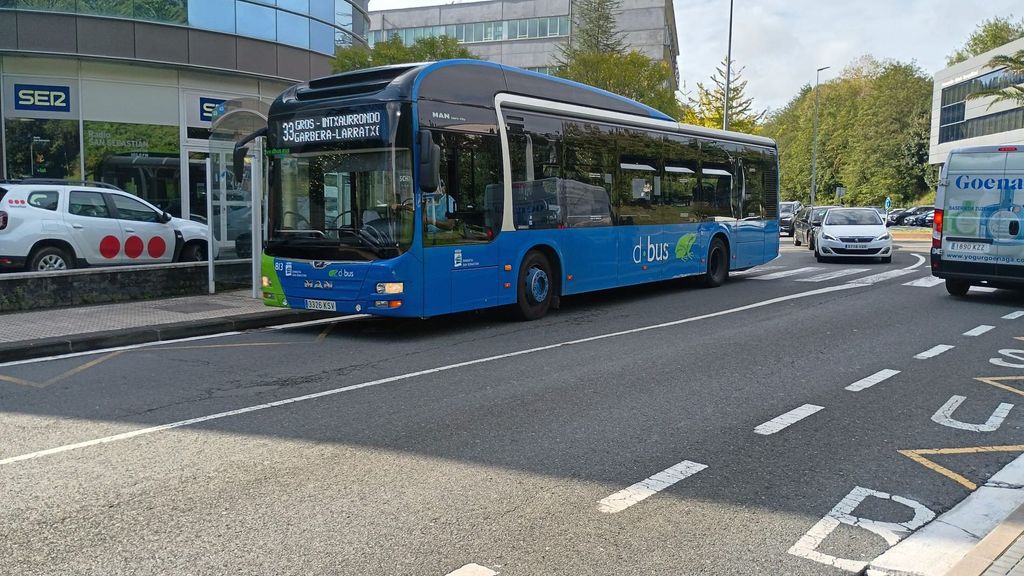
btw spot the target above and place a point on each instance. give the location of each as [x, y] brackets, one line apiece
[347, 205]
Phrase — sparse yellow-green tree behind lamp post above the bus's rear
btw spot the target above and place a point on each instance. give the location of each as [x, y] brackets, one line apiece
[709, 106]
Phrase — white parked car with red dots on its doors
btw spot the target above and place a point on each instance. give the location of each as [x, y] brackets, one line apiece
[59, 225]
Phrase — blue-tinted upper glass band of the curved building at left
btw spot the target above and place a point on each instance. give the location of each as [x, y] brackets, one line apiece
[313, 25]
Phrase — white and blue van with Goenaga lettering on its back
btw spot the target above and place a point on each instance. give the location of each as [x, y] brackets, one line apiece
[978, 235]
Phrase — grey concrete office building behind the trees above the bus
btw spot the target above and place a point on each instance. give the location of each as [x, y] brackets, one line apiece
[528, 33]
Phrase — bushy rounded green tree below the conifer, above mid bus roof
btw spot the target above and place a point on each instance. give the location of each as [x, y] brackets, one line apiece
[632, 75]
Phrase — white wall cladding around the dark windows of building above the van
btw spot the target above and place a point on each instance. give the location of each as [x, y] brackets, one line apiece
[967, 70]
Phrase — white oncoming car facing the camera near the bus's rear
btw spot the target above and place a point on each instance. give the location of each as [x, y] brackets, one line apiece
[854, 233]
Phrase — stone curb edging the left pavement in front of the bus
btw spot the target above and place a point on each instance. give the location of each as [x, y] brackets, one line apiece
[25, 350]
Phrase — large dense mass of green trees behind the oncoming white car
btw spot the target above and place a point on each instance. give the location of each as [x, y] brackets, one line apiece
[874, 126]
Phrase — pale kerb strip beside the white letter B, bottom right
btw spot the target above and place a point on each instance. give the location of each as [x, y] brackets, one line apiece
[937, 548]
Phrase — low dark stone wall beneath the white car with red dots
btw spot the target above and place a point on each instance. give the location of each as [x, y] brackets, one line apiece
[25, 292]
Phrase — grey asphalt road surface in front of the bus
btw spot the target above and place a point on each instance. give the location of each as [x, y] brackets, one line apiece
[419, 447]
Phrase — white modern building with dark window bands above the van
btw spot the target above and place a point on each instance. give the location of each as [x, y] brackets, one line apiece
[958, 121]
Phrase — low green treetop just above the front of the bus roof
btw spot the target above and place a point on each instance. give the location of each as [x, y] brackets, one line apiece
[394, 51]
